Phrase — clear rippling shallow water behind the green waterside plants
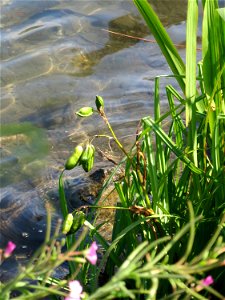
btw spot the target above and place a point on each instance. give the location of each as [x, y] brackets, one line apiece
[55, 57]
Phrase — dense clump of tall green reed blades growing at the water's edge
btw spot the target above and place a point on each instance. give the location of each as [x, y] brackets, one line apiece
[184, 164]
